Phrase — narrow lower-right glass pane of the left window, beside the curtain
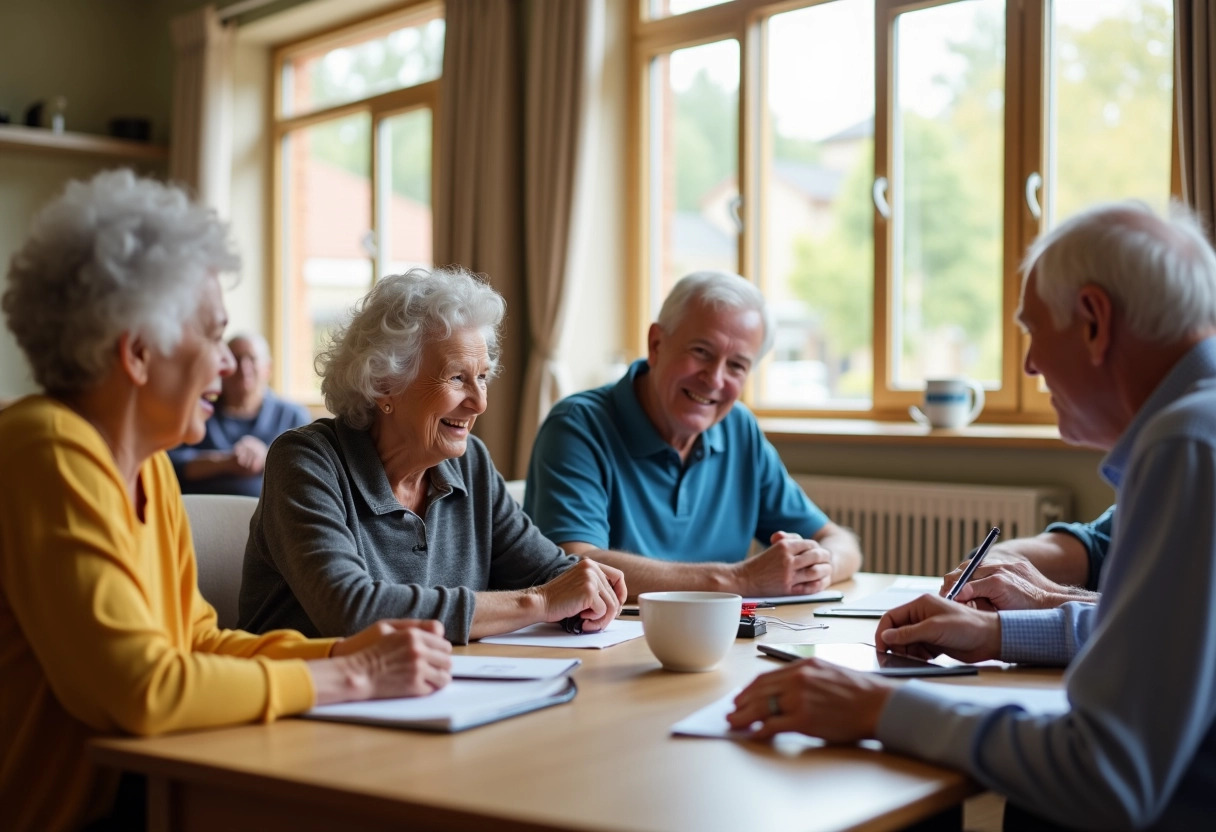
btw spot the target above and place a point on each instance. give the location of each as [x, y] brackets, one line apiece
[406, 238]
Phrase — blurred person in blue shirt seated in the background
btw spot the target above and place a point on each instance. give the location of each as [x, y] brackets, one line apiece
[249, 417]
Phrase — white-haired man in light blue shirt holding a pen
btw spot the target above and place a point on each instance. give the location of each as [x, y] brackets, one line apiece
[1121, 308]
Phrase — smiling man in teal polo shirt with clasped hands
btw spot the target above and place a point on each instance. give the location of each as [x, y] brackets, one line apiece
[673, 475]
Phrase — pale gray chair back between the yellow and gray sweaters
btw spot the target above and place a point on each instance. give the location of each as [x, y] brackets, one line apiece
[221, 527]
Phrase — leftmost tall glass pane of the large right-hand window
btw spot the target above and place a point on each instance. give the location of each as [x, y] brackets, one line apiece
[694, 165]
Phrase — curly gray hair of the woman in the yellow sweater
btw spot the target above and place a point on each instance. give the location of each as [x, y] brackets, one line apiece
[112, 255]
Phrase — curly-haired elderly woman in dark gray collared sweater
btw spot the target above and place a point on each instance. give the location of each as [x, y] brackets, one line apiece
[393, 509]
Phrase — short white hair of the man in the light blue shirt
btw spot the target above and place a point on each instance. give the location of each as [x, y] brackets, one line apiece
[1159, 272]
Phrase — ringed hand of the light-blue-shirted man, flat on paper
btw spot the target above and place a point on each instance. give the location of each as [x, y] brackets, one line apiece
[813, 698]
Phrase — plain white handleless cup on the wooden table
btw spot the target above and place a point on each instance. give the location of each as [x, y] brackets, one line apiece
[690, 631]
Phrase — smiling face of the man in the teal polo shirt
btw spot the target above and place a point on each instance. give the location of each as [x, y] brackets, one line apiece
[699, 370]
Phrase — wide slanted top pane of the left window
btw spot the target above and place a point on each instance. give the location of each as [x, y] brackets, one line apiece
[410, 55]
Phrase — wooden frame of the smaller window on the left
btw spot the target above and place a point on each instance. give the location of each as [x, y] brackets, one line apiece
[380, 109]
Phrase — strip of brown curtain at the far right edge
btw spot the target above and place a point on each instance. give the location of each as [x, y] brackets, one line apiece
[1195, 54]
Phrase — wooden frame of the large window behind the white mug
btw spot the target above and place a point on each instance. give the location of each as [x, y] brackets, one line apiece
[1020, 400]
